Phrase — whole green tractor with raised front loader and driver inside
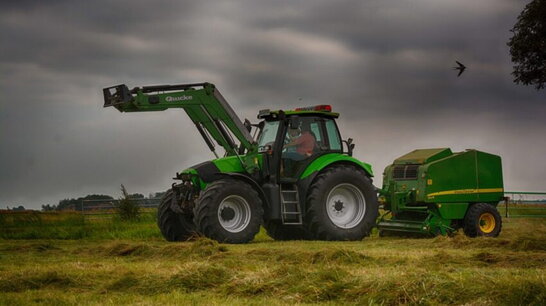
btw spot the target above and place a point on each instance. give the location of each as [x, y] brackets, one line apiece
[291, 172]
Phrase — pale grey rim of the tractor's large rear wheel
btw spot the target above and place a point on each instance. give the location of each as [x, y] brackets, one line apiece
[345, 206]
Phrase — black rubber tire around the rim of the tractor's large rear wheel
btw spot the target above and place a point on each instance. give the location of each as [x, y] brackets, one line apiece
[317, 219]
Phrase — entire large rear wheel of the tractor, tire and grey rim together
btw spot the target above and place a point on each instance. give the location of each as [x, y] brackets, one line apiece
[341, 204]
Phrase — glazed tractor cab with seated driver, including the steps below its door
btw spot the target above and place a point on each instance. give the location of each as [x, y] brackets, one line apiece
[292, 144]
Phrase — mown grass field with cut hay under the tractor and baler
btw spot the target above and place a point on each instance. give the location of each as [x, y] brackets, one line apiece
[132, 264]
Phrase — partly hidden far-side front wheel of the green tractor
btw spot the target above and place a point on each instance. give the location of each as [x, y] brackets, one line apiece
[173, 225]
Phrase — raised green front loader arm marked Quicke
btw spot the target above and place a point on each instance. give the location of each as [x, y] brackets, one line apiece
[203, 103]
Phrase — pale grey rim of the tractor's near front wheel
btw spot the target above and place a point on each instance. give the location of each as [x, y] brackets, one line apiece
[234, 213]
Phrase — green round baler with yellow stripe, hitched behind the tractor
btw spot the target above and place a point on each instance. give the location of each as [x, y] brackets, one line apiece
[436, 191]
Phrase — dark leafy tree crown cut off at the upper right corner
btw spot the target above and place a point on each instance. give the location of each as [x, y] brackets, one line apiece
[528, 45]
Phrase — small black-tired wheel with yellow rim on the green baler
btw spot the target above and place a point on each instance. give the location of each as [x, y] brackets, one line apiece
[473, 217]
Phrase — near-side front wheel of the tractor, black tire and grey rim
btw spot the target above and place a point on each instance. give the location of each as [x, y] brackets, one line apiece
[241, 198]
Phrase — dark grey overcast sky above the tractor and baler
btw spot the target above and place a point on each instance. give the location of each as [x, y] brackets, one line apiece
[386, 66]
